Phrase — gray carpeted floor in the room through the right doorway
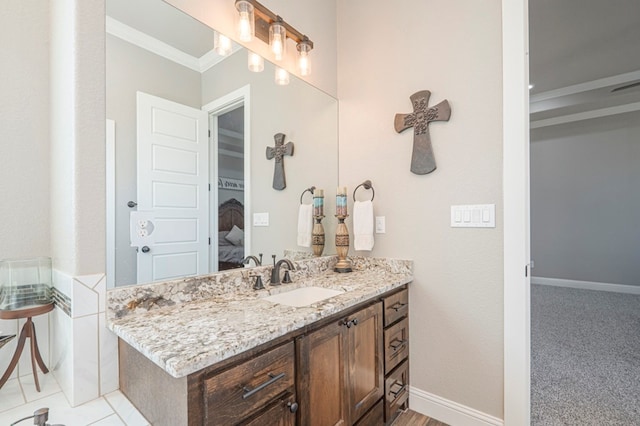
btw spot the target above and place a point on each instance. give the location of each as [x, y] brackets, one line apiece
[585, 357]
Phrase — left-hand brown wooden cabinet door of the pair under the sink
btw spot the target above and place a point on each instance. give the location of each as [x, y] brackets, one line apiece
[322, 374]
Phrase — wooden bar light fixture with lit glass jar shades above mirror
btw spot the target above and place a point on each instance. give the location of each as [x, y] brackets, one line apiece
[272, 29]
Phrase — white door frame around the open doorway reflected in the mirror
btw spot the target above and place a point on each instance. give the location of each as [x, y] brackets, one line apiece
[218, 106]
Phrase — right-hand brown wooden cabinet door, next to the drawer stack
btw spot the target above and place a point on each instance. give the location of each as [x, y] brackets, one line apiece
[366, 369]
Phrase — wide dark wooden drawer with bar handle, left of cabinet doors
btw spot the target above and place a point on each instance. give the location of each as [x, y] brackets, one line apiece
[240, 391]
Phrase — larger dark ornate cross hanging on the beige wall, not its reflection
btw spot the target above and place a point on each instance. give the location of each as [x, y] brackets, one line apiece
[422, 159]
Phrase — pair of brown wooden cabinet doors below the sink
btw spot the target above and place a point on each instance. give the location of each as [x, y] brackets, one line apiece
[340, 369]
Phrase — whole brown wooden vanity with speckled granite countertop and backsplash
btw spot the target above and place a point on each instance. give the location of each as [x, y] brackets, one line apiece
[212, 351]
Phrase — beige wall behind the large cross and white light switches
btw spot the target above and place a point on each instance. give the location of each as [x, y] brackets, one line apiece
[454, 50]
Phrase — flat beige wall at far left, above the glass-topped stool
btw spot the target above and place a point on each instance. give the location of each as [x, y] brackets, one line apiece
[24, 128]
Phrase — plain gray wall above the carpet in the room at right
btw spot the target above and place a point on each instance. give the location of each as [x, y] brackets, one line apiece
[585, 200]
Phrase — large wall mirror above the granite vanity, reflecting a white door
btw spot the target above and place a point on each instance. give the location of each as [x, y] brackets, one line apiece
[187, 135]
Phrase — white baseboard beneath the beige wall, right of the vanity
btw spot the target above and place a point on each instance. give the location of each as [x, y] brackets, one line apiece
[447, 411]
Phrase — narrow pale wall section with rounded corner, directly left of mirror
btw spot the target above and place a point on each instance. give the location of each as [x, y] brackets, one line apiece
[77, 136]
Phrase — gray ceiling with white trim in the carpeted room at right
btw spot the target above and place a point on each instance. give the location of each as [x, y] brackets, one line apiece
[580, 51]
